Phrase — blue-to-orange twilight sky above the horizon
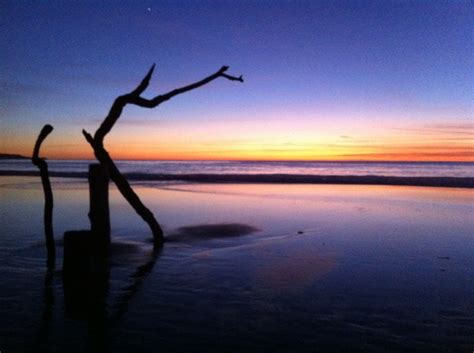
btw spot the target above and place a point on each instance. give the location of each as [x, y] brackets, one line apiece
[324, 80]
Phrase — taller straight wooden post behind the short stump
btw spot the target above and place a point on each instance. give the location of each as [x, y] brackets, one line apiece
[99, 208]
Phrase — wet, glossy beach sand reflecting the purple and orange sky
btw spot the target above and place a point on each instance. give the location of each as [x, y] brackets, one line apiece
[247, 268]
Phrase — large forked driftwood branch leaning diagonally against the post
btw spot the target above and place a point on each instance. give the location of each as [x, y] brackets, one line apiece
[97, 142]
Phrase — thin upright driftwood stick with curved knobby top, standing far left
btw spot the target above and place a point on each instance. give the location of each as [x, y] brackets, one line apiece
[48, 195]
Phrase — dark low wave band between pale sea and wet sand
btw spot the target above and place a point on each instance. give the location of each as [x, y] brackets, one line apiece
[451, 182]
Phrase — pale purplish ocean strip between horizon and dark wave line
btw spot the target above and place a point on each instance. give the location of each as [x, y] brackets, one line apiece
[150, 168]
